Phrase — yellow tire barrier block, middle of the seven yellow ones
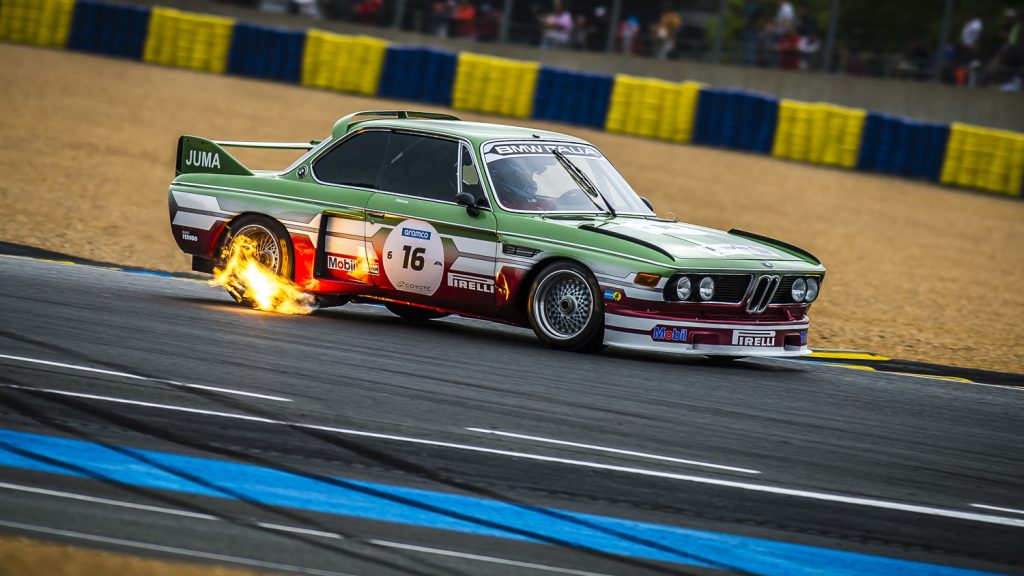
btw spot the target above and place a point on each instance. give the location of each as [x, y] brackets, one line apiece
[495, 86]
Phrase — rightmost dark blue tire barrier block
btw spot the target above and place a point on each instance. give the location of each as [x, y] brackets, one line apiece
[902, 147]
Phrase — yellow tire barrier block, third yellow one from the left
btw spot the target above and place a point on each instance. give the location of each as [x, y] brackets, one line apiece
[348, 64]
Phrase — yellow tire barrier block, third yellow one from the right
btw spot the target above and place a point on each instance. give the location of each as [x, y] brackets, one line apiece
[655, 109]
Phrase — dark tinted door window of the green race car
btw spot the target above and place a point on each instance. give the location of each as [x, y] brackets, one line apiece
[421, 167]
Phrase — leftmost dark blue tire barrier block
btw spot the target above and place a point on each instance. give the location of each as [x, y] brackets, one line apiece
[114, 30]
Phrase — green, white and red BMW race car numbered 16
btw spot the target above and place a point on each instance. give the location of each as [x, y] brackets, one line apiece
[433, 216]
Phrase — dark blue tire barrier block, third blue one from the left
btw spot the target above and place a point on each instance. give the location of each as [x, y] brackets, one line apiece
[418, 74]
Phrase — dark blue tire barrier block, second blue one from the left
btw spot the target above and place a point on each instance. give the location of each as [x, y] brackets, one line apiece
[268, 53]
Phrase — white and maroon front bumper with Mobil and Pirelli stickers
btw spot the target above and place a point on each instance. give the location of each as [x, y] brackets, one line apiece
[674, 336]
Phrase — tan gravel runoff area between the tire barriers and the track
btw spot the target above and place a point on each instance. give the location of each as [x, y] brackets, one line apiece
[915, 271]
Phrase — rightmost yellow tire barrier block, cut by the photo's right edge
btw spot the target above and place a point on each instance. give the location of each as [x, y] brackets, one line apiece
[985, 158]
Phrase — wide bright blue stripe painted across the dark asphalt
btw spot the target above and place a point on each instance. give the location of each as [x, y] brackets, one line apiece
[428, 509]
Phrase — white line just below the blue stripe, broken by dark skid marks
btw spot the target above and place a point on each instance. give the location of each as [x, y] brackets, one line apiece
[305, 531]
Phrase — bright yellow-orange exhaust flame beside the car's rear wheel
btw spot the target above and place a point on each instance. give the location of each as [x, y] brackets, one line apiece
[247, 280]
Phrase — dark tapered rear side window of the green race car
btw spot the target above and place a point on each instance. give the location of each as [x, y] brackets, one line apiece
[356, 162]
